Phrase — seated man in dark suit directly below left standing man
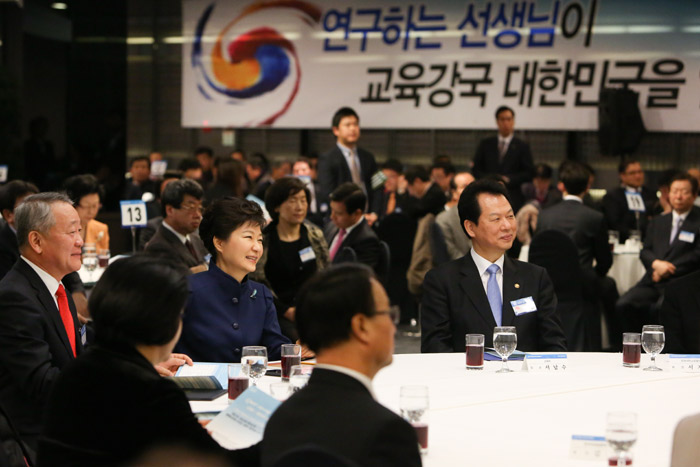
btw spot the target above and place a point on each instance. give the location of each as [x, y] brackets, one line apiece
[349, 229]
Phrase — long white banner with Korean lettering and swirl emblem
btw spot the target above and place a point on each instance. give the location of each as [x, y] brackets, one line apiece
[438, 64]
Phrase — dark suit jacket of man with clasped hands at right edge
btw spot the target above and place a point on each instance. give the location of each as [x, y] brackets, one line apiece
[684, 255]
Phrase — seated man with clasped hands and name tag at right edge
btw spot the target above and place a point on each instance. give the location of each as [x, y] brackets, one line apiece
[671, 250]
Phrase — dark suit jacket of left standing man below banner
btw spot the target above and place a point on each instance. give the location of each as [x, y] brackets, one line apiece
[333, 170]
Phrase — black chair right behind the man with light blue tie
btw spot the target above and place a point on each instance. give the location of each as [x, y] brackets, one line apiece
[556, 252]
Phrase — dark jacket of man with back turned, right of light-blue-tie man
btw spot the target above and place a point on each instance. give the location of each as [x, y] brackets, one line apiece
[587, 229]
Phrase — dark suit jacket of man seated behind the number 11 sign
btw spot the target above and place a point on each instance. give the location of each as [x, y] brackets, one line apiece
[620, 218]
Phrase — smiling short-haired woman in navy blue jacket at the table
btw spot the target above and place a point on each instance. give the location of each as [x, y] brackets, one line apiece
[226, 311]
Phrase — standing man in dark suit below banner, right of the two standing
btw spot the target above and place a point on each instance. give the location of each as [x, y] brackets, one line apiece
[505, 155]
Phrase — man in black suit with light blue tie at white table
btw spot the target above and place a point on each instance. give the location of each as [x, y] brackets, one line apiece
[485, 288]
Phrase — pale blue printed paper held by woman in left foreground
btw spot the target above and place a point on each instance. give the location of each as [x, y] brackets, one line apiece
[243, 422]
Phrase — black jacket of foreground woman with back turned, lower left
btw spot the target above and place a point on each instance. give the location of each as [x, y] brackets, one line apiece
[124, 408]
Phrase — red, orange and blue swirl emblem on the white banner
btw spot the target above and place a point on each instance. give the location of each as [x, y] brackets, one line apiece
[255, 63]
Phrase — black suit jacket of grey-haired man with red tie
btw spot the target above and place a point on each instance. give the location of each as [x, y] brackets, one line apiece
[34, 345]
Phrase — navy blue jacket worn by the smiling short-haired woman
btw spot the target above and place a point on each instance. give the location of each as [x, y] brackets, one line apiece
[222, 316]
